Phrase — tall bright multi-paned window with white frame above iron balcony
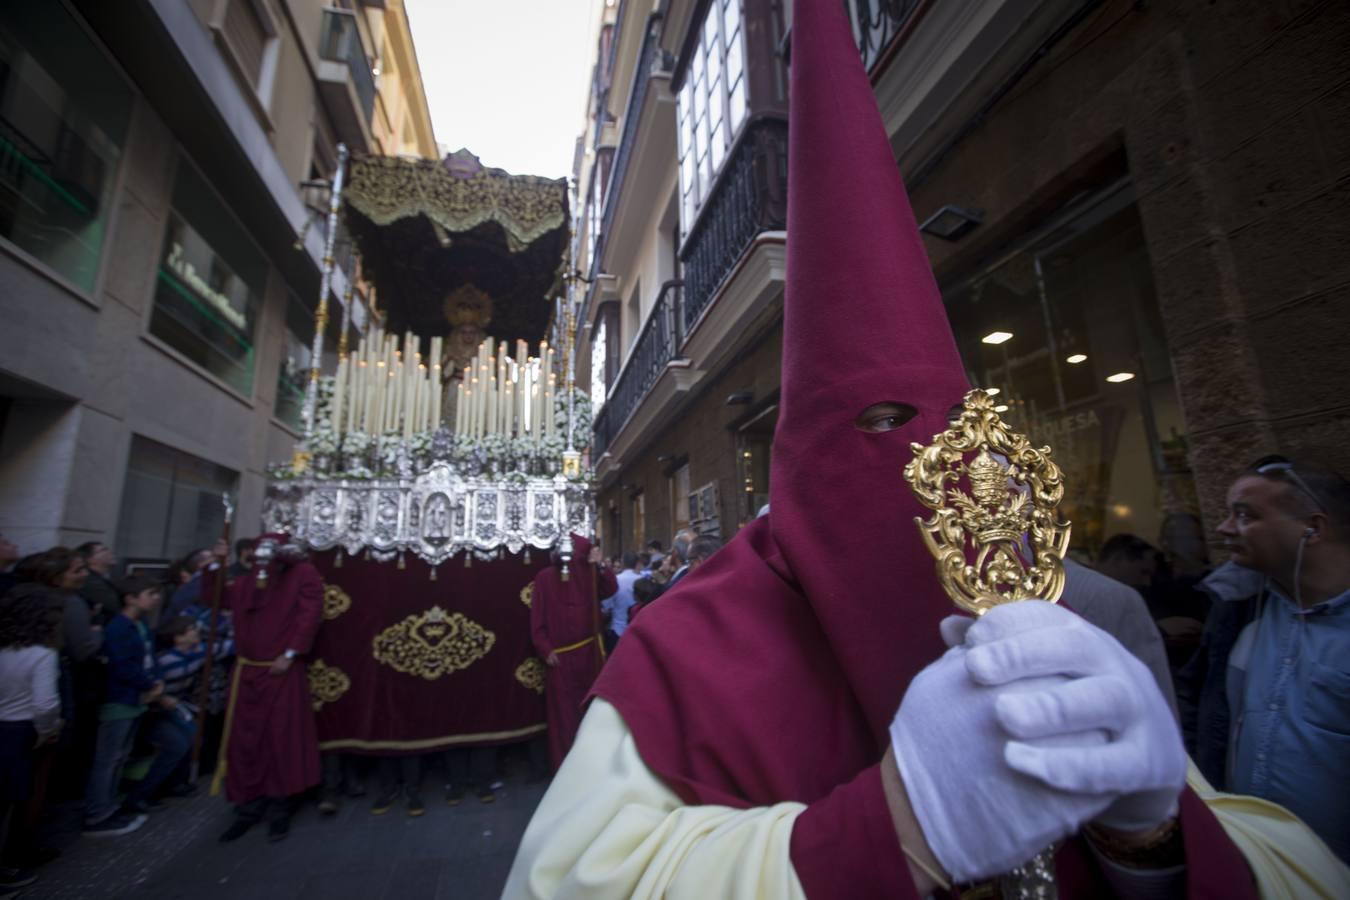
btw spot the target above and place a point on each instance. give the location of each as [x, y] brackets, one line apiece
[712, 103]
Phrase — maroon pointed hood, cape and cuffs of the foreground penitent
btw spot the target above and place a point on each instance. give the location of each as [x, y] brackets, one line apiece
[773, 673]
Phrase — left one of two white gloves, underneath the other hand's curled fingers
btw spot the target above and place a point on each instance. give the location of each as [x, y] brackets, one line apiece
[981, 818]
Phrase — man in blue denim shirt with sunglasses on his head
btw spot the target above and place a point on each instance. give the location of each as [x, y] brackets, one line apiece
[1268, 693]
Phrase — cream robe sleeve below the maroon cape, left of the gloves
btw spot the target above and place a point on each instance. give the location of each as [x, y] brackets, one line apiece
[610, 828]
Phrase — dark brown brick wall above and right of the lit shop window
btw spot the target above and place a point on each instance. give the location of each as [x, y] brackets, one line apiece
[1233, 121]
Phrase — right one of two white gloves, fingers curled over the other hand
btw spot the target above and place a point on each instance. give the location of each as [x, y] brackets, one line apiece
[1141, 768]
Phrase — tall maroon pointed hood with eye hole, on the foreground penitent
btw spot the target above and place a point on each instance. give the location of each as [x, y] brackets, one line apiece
[865, 325]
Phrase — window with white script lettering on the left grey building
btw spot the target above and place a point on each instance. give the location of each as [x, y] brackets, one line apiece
[210, 287]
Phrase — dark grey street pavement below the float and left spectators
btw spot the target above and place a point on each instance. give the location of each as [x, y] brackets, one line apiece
[450, 853]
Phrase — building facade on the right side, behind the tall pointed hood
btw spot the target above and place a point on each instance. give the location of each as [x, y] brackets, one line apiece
[1135, 214]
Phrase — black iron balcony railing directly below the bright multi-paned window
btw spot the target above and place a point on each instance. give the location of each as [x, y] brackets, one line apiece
[750, 198]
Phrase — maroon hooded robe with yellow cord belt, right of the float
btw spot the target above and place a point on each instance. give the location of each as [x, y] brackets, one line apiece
[562, 616]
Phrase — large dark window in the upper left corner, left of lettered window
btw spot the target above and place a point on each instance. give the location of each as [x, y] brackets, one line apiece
[64, 114]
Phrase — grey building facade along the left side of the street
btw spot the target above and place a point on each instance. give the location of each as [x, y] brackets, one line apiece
[160, 304]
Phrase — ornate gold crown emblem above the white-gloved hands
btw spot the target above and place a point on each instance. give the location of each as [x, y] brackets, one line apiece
[996, 531]
